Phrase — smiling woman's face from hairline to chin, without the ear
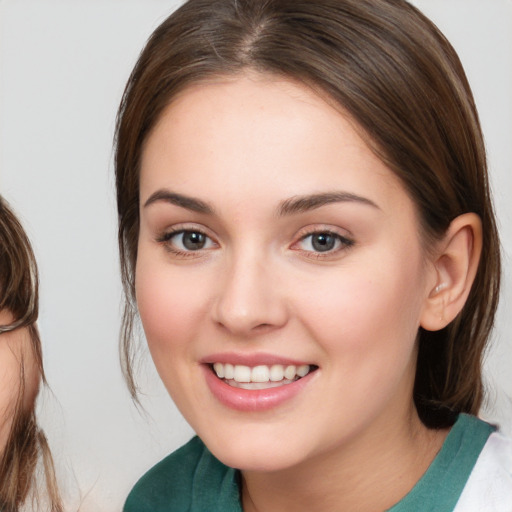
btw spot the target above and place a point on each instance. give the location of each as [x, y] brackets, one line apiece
[277, 248]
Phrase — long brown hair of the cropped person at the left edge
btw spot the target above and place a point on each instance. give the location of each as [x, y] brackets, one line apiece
[26, 443]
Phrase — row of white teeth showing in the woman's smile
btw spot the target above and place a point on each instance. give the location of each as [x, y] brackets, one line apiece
[260, 374]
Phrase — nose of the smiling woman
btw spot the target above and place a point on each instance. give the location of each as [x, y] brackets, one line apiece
[250, 299]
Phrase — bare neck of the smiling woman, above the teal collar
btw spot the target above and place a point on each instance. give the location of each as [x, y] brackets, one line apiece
[369, 473]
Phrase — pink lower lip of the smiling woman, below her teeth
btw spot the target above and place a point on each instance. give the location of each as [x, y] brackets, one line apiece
[252, 400]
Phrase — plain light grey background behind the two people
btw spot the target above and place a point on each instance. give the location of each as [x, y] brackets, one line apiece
[63, 65]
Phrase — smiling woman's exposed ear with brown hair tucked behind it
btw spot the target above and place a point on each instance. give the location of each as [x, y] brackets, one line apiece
[456, 263]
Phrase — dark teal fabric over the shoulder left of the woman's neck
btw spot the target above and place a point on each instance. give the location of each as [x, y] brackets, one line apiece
[184, 481]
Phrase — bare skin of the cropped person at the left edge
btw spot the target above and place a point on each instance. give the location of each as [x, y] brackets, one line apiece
[15, 347]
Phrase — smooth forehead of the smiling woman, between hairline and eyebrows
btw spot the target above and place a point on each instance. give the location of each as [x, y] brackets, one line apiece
[253, 133]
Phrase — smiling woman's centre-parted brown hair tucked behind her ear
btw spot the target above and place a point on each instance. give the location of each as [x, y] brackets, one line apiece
[391, 69]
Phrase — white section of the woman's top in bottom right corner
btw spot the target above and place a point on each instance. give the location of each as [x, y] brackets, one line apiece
[489, 487]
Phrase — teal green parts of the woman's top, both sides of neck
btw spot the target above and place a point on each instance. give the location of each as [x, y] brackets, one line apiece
[192, 480]
